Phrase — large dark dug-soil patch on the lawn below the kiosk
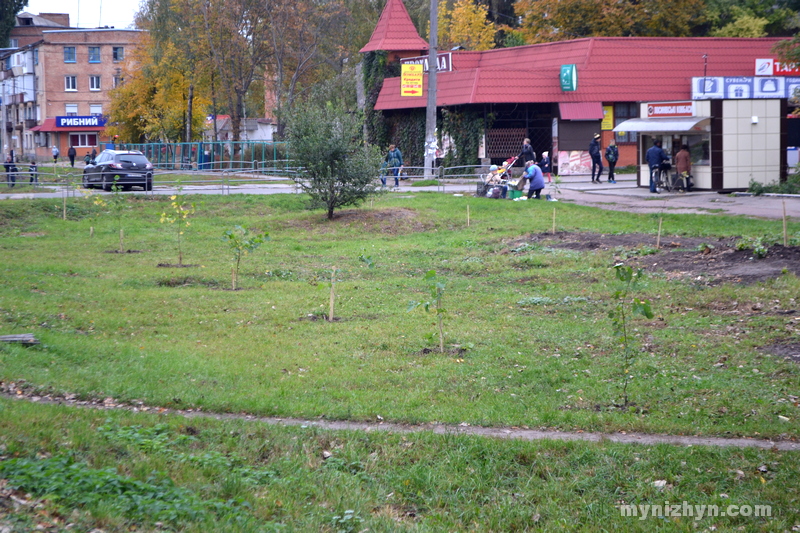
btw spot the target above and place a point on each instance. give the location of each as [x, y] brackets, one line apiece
[684, 257]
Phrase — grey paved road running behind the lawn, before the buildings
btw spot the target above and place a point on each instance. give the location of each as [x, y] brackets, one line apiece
[622, 196]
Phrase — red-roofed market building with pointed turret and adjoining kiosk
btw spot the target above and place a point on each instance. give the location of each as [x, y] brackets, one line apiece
[727, 98]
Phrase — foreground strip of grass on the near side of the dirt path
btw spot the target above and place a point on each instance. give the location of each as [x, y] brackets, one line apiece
[207, 475]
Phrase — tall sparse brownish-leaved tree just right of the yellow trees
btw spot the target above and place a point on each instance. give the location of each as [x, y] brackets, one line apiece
[238, 35]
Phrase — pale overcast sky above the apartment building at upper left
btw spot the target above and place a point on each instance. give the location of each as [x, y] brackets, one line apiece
[89, 13]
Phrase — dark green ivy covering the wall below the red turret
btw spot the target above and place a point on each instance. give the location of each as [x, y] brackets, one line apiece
[406, 128]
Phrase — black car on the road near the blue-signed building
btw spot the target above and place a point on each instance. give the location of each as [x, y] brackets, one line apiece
[127, 168]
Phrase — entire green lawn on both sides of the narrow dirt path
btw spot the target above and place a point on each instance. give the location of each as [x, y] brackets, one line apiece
[529, 344]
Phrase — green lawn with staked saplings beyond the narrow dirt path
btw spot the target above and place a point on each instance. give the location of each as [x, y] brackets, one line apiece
[117, 325]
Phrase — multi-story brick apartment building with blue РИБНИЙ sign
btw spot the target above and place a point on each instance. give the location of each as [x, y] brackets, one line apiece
[55, 90]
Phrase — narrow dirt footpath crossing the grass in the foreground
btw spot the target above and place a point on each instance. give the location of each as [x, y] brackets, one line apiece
[439, 429]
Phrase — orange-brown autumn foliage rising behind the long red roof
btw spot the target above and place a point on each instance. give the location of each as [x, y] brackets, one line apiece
[556, 20]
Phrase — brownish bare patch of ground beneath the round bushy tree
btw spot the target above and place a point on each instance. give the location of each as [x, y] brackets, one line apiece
[388, 220]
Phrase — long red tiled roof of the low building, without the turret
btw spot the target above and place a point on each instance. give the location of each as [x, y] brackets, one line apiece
[610, 69]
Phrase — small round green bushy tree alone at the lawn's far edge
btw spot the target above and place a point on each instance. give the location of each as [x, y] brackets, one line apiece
[337, 168]
